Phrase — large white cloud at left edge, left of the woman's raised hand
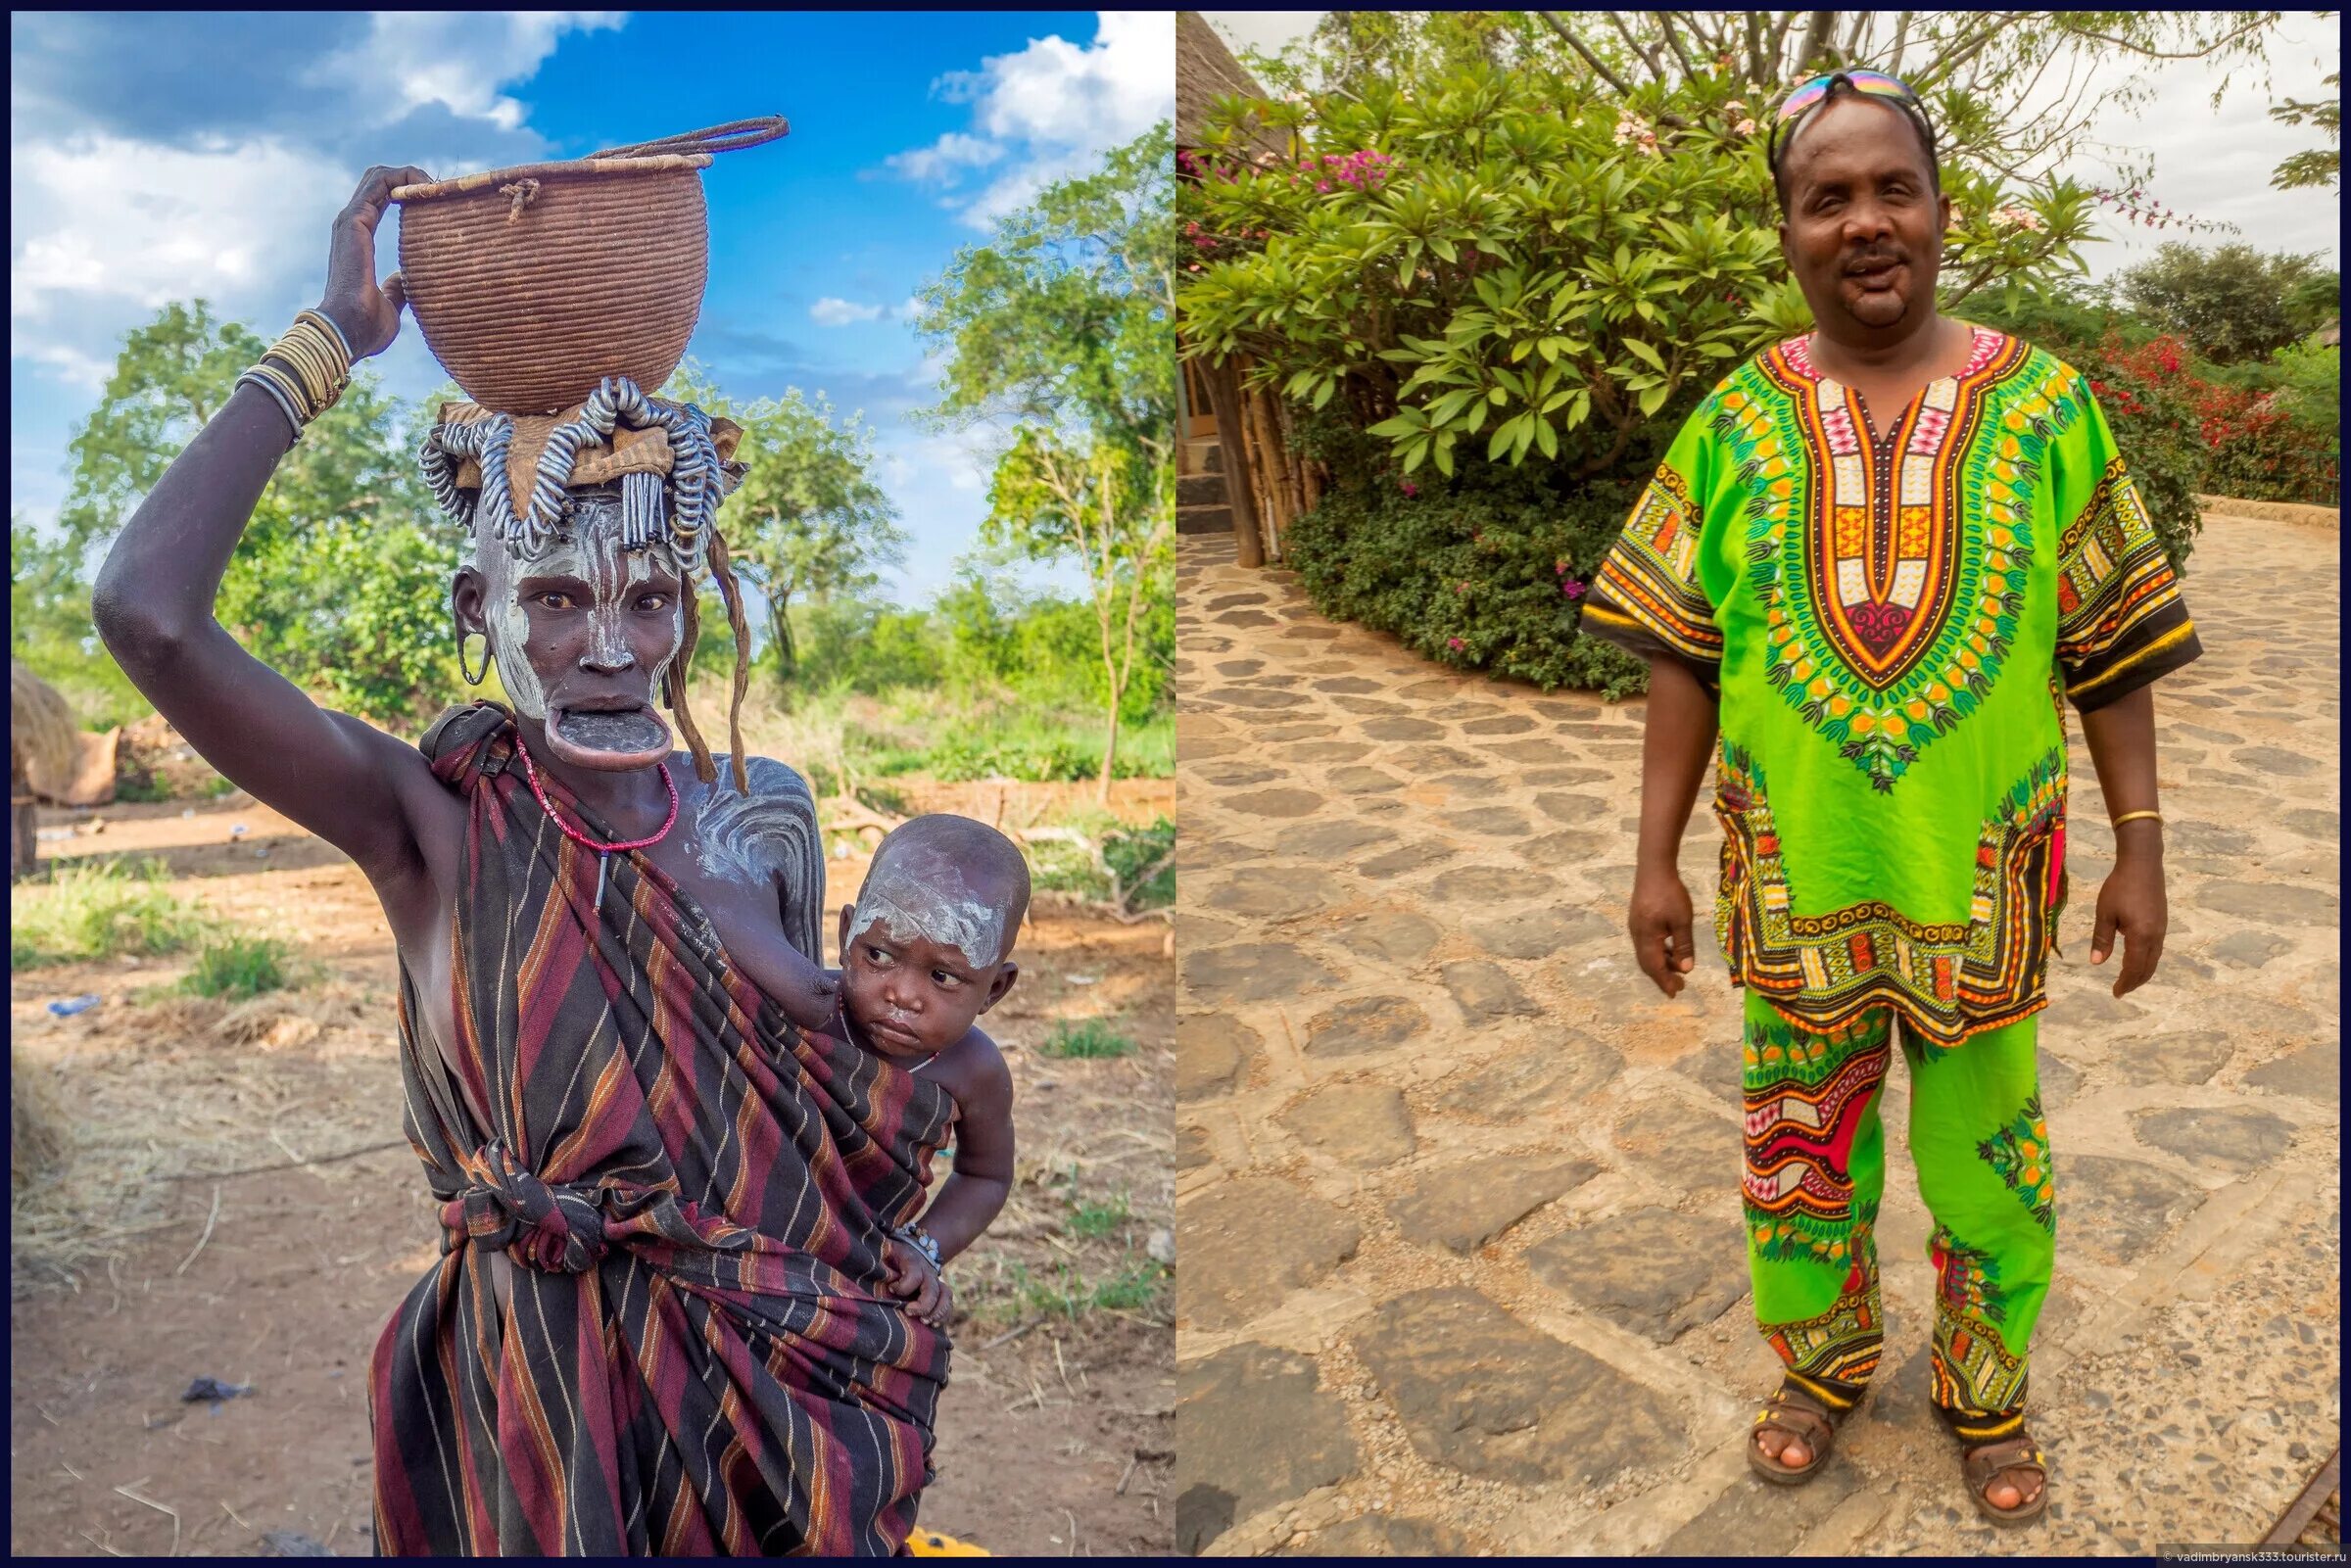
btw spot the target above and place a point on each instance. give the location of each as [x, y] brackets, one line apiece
[140, 225]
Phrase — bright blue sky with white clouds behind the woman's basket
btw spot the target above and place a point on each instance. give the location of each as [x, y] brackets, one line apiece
[208, 152]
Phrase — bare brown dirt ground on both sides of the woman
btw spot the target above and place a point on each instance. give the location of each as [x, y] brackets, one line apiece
[241, 1205]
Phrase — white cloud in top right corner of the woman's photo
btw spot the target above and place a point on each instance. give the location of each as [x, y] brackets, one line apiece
[1061, 102]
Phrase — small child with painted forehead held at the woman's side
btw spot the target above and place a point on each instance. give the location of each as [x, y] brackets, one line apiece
[925, 951]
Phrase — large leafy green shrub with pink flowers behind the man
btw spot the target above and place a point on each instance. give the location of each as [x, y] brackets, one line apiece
[1508, 290]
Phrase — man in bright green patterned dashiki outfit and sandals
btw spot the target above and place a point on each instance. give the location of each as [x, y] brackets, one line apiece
[1877, 563]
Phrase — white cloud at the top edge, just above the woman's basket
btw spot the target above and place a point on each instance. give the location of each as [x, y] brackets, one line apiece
[457, 60]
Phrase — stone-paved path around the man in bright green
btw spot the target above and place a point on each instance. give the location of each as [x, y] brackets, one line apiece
[1459, 1191]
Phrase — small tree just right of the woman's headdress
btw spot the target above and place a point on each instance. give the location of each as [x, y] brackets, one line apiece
[808, 518]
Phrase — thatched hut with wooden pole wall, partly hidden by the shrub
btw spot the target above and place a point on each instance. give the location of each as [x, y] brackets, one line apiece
[1238, 469]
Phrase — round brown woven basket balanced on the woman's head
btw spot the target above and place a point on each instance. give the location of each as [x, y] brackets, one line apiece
[537, 283]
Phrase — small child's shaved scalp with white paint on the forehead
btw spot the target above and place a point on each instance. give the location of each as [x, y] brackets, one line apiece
[949, 880]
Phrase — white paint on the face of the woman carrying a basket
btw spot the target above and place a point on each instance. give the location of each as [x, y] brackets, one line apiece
[591, 554]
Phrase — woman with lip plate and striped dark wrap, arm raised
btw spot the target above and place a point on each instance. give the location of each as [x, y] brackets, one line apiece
[662, 1320]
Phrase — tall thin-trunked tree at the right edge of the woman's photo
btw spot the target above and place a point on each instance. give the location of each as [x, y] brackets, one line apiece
[1061, 335]
